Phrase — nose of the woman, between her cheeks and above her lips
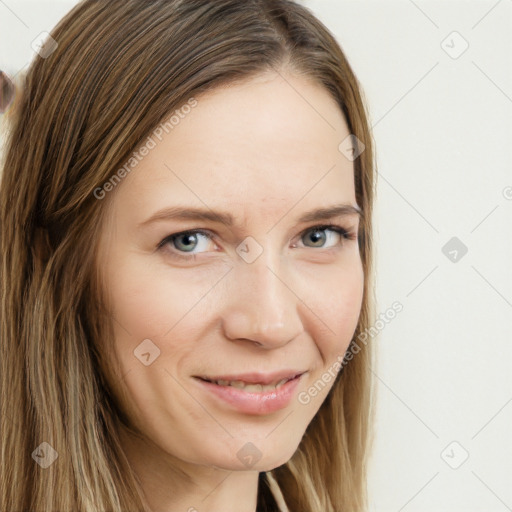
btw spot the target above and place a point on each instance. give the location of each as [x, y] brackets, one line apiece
[261, 307]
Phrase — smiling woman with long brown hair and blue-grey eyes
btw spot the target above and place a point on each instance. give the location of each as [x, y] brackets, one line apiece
[186, 211]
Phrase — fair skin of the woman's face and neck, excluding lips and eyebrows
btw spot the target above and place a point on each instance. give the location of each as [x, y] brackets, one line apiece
[267, 151]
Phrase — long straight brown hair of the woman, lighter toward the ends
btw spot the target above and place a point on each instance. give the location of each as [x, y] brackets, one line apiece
[120, 68]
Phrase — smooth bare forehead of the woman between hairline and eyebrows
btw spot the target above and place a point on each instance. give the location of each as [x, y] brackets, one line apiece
[260, 146]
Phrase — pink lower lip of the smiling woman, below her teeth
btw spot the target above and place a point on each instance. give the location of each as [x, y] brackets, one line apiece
[263, 402]
